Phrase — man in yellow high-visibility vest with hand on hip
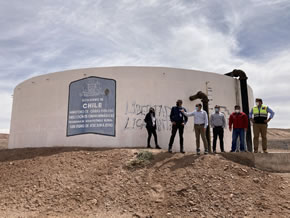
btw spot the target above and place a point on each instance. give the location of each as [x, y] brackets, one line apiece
[259, 117]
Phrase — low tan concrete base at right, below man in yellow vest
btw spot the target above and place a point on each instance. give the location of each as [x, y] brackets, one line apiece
[272, 162]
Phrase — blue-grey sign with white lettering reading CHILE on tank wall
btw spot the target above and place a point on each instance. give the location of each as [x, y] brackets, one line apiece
[92, 107]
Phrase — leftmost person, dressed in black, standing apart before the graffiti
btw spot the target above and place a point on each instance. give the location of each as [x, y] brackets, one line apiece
[150, 121]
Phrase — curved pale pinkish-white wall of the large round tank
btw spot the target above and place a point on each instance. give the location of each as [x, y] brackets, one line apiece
[40, 106]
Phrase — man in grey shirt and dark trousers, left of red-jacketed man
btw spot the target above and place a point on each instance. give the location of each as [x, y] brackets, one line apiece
[218, 123]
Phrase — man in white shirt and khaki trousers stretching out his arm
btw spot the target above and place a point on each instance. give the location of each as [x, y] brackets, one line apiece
[200, 125]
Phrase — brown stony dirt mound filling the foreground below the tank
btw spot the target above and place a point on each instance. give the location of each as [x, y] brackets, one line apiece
[98, 183]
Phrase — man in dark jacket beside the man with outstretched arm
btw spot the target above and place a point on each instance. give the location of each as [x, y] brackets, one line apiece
[178, 121]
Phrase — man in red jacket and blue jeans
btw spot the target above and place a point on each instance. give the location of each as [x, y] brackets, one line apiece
[239, 122]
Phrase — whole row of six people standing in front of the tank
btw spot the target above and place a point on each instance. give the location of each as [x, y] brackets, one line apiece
[238, 124]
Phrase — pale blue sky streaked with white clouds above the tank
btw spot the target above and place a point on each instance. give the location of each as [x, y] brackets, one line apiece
[39, 37]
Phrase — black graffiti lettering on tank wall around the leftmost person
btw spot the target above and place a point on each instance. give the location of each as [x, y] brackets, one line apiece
[135, 114]
